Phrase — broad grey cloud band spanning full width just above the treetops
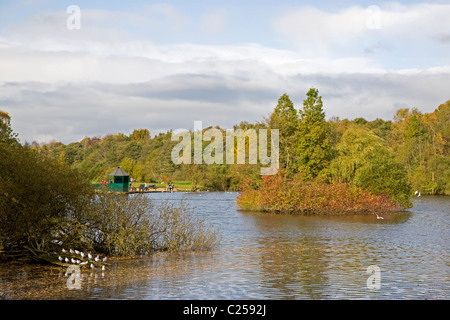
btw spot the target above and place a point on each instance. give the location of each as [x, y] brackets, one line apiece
[69, 112]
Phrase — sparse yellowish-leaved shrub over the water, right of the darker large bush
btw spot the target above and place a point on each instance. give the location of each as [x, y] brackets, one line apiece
[131, 224]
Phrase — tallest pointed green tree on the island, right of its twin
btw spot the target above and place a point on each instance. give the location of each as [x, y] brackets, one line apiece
[313, 150]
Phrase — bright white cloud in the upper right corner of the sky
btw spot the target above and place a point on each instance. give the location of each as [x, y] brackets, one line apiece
[350, 30]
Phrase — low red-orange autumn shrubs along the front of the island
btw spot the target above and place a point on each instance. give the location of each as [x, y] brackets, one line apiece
[278, 194]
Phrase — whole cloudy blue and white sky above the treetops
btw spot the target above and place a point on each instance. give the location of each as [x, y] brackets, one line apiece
[116, 66]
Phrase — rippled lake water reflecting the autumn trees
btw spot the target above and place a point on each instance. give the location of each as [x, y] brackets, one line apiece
[265, 256]
